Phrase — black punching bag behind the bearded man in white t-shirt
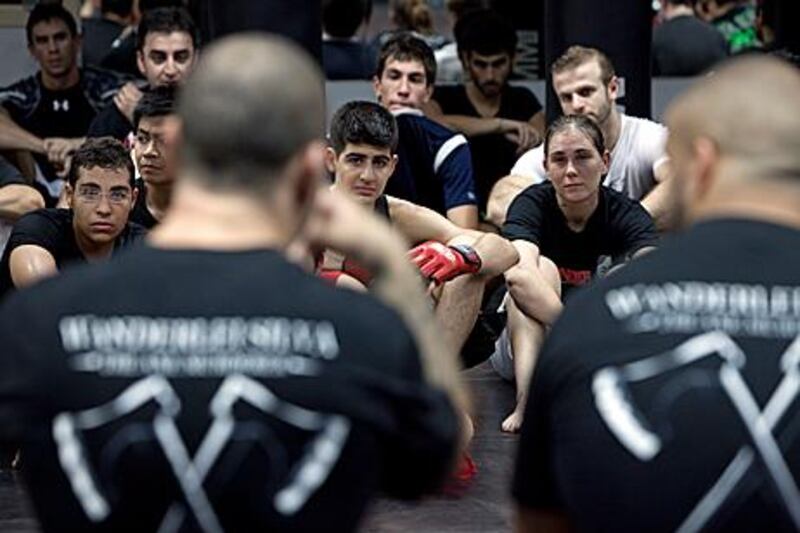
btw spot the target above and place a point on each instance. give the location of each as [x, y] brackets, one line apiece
[622, 29]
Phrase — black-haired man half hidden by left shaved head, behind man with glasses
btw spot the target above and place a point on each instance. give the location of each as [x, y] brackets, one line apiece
[153, 117]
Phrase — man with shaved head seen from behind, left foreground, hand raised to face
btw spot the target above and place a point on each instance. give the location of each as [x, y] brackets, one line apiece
[202, 382]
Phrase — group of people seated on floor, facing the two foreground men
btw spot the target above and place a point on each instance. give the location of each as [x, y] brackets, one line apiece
[447, 152]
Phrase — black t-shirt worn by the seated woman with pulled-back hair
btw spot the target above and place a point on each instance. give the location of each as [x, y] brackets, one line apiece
[618, 227]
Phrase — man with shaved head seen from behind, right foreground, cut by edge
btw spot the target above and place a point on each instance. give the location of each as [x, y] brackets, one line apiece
[666, 397]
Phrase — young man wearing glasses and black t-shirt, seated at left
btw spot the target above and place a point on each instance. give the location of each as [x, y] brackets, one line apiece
[100, 194]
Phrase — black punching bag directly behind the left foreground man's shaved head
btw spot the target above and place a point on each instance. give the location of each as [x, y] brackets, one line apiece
[299, 20]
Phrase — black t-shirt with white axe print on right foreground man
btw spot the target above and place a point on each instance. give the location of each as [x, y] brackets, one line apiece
[667, 394]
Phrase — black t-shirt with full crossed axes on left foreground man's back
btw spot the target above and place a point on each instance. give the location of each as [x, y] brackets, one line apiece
[224, 388]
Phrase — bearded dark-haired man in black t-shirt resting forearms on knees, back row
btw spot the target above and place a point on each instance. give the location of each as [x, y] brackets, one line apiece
[500, 120]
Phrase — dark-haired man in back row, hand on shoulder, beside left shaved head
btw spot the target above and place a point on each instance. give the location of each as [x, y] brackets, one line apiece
[166, 52]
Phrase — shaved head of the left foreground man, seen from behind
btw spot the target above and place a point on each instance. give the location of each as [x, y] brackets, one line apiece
[252, 103]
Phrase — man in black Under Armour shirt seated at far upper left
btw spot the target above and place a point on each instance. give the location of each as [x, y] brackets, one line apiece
[48, 114]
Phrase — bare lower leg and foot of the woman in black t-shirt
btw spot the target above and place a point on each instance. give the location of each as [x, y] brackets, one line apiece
[526, 336]
